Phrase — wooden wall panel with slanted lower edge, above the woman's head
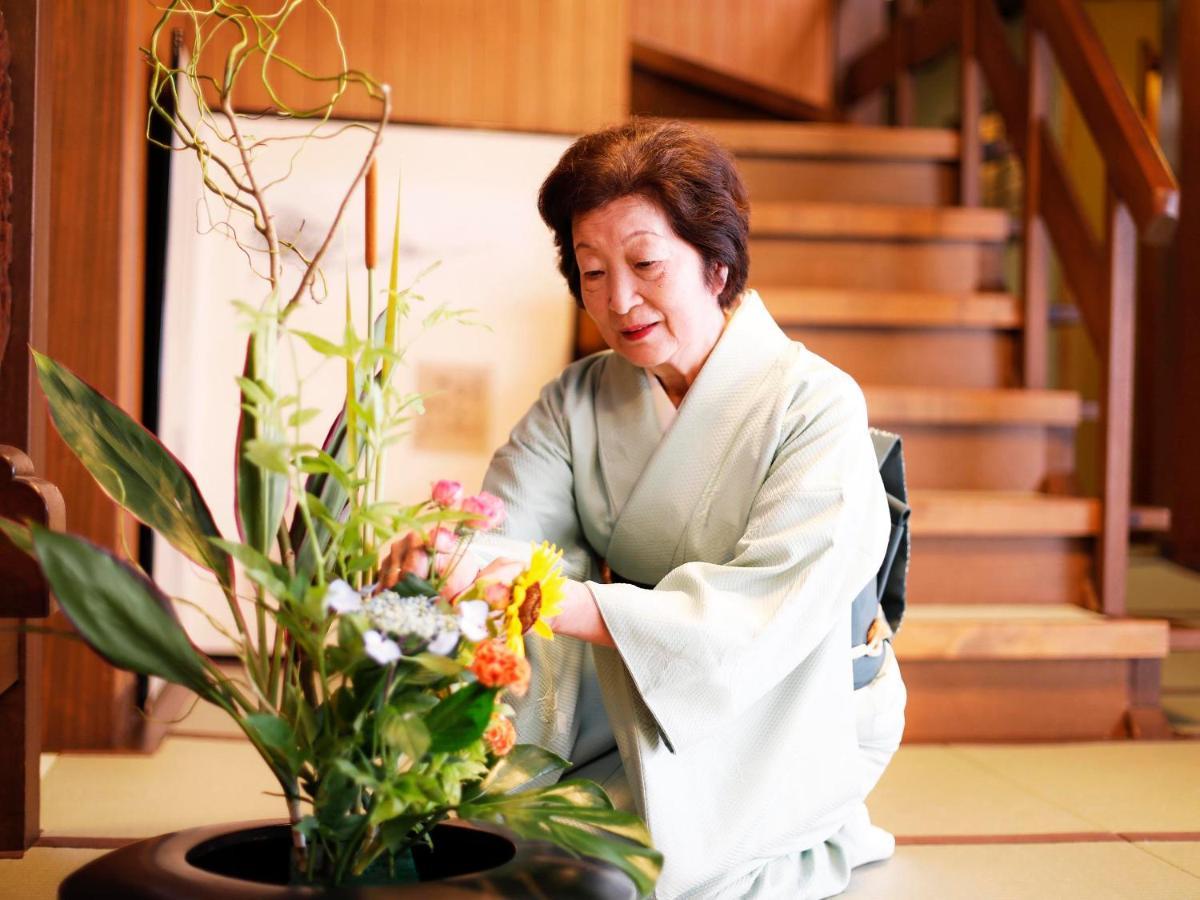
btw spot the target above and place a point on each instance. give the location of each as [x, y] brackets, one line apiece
[784, 45]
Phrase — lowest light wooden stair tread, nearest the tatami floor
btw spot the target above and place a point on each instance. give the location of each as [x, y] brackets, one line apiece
[1015, 632]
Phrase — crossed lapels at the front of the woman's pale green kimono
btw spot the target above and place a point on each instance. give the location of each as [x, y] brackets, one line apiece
[657, 481]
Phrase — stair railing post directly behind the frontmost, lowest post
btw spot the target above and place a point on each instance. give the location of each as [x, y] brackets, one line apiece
[1036, 243]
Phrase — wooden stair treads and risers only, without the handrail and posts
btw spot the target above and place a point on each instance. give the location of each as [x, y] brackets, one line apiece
[860, 253]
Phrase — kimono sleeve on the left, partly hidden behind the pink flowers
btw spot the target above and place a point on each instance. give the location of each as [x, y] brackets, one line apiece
[532, 473]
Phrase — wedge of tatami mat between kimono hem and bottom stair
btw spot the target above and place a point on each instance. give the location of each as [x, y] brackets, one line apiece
[940, 791]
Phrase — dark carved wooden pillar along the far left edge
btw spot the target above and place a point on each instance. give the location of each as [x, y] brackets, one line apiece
[25, 208]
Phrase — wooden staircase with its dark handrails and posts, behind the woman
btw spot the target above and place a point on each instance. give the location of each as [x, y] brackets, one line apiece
[869, 244]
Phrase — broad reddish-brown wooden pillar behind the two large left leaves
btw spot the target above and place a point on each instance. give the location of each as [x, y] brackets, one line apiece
[98, 202]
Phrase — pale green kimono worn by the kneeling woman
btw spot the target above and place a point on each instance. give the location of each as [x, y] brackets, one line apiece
[758, 517]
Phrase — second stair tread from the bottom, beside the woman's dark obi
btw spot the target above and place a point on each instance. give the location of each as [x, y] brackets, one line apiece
[1003, 514]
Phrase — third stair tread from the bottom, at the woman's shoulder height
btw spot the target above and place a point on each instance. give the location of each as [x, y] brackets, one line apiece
[973, 406]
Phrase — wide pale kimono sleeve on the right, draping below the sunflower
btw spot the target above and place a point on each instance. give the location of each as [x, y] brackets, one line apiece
[711, 640]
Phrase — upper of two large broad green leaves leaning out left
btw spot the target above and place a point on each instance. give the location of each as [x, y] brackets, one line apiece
[133, 467]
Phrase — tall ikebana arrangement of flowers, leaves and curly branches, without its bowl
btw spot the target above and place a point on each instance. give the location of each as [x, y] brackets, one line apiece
[377, 656]
